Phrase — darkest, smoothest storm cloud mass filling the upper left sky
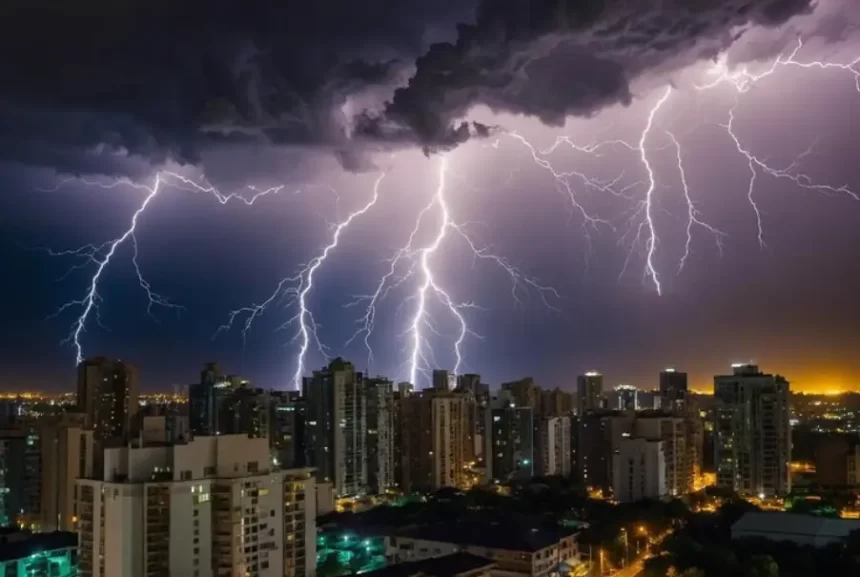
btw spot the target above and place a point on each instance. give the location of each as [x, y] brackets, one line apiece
[87, 86]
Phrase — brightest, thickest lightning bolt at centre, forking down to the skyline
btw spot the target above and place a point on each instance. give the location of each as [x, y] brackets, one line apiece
[421, 261]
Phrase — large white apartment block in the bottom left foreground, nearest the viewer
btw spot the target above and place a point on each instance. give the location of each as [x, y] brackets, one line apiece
[212, 507]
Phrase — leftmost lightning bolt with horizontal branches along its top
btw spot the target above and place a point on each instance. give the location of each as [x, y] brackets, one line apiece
[102, 255]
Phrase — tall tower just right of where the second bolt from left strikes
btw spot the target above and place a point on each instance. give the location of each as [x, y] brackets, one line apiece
[336, 427]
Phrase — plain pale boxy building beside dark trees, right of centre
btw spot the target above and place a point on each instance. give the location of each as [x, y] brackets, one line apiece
[639, 470]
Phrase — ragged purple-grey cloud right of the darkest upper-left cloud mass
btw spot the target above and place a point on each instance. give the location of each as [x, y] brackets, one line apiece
[553, 59]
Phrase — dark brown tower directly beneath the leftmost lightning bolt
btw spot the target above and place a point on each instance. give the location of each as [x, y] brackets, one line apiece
[108, 394]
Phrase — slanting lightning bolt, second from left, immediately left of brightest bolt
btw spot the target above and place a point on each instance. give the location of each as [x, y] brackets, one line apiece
[304, 283]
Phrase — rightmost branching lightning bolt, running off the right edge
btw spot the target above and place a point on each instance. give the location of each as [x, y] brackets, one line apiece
[742, 81]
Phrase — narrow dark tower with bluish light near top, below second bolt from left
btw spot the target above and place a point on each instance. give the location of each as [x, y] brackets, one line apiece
[287, 412]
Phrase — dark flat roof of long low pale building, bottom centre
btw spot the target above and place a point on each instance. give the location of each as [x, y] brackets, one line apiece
[509, 536]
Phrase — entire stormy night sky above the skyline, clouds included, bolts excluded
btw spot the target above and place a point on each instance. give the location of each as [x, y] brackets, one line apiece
[324, 100]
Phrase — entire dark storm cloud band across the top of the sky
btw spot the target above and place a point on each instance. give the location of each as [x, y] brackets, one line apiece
[107, 86]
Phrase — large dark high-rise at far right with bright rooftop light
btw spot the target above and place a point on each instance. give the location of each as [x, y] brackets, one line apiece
[752, 440]
